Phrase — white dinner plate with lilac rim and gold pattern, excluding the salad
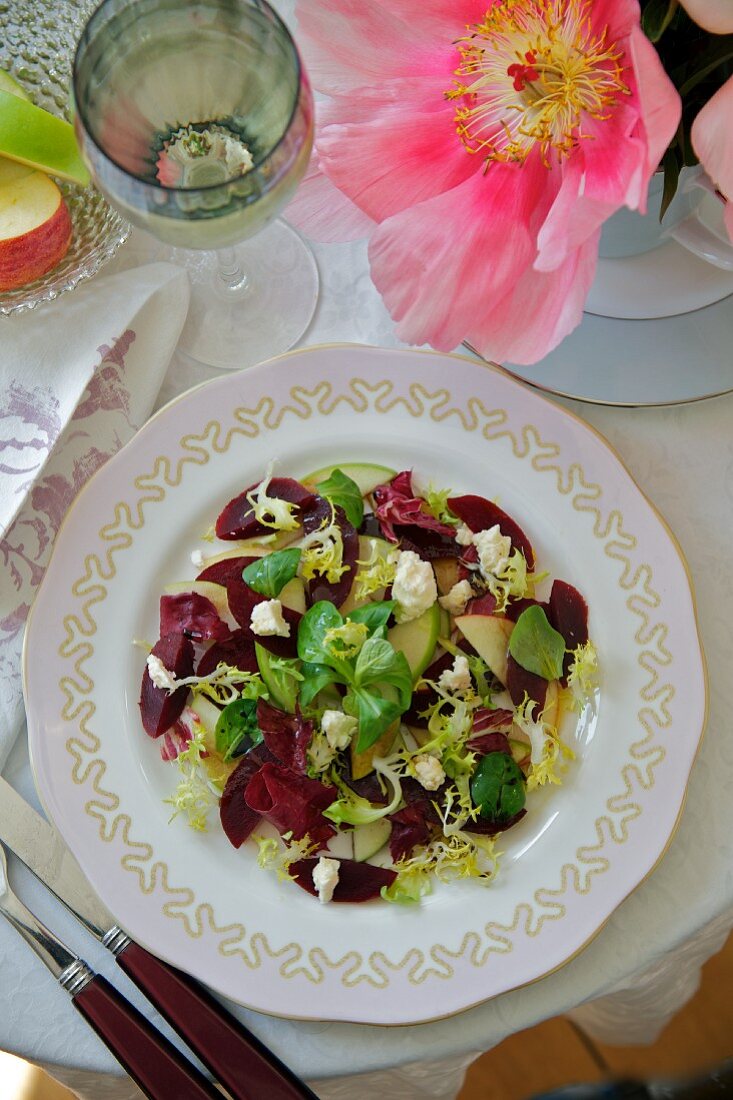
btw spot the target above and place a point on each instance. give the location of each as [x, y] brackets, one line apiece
[193, 899]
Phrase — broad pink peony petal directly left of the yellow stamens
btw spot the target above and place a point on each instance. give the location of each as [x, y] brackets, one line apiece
[389, 149]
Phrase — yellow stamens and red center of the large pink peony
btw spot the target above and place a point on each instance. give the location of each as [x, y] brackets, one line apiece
[531, 73]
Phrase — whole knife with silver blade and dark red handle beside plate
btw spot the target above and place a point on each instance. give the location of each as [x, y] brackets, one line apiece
[228, 1050]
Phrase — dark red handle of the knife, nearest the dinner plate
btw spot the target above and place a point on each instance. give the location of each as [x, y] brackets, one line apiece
[233, 1054]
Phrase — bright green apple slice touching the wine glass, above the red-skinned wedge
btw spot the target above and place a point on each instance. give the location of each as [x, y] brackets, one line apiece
[39, 139]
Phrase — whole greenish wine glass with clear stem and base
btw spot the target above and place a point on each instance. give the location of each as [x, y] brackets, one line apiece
[196, 122]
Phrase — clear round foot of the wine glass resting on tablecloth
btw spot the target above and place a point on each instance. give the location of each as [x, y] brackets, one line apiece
[237, 328]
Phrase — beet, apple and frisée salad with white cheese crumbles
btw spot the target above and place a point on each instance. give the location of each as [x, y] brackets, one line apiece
[366, 681]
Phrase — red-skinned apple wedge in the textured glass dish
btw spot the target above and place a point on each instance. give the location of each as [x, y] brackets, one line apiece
[36, 226]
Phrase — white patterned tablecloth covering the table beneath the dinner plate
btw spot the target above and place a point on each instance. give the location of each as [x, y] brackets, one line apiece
[646, 963]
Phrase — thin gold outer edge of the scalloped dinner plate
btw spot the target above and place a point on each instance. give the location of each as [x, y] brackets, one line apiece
[522, 387]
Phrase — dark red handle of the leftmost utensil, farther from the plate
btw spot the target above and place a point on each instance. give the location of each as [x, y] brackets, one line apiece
[161, 1072]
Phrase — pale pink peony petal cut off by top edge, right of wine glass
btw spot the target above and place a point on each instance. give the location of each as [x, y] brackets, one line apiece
[351, 43]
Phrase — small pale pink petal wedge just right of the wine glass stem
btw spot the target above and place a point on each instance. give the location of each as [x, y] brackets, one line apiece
[324, 213]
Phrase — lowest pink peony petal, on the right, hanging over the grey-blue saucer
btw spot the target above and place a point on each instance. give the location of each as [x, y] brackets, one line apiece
[539, 313]
